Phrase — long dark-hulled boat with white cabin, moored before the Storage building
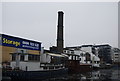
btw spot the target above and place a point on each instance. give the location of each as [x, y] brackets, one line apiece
[35, 70]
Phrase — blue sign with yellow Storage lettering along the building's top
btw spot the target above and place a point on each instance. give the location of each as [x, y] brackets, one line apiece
[19, 42]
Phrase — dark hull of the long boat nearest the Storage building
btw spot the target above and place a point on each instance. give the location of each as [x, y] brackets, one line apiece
[35, 75]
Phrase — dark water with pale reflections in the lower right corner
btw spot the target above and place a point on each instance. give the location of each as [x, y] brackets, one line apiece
[97, 75]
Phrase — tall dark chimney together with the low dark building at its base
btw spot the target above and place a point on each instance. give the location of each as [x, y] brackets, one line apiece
[60, 38]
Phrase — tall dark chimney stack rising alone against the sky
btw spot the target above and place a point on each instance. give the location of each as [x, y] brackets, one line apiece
[60, 41]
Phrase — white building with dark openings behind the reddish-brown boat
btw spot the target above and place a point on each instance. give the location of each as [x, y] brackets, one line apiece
[85, 55]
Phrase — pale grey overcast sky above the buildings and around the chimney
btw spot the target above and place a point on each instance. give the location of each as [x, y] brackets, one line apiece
[84, 22]
